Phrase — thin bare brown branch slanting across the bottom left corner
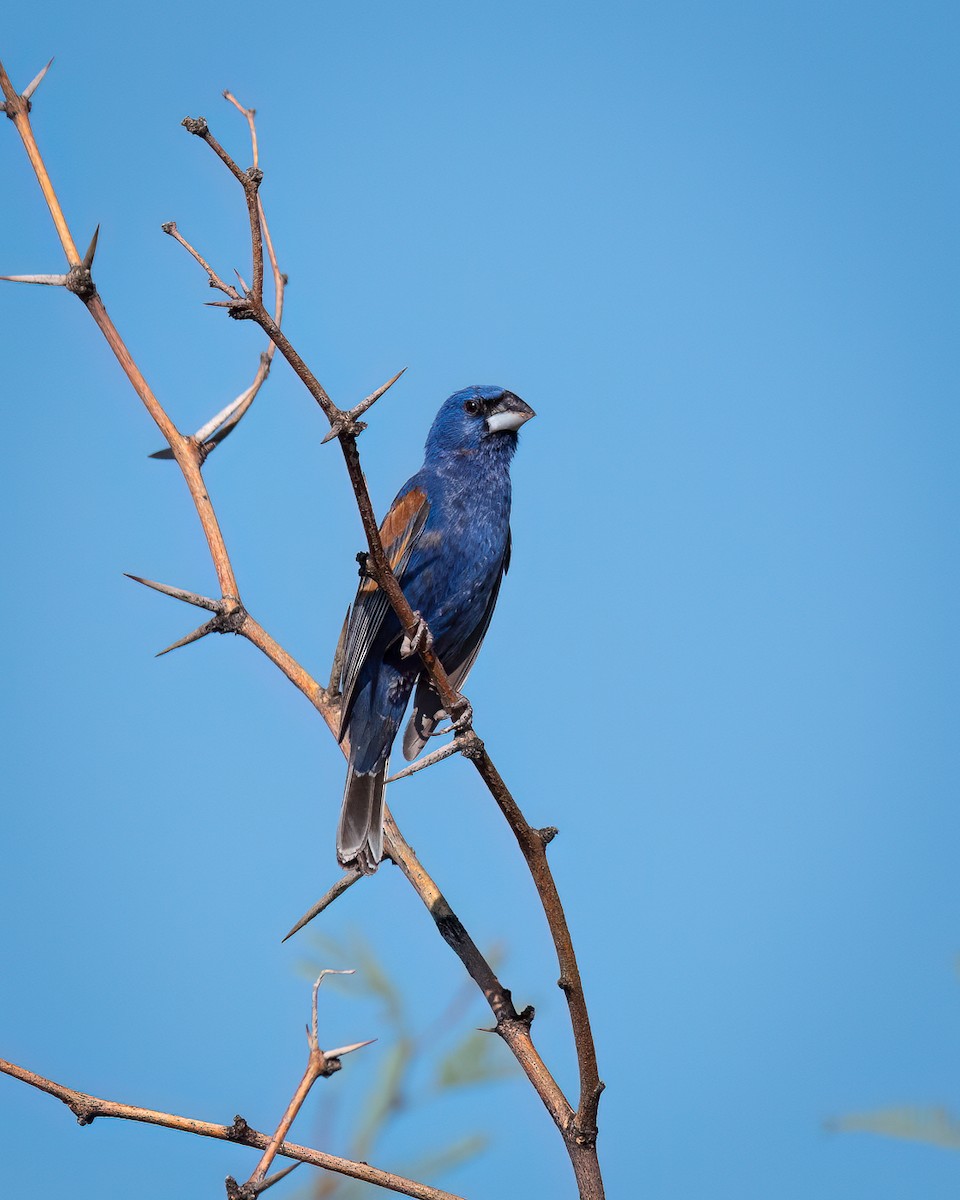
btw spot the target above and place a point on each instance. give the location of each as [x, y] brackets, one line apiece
[87, 1108]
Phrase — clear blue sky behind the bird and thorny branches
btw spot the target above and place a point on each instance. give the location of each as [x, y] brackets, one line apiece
[716, 248]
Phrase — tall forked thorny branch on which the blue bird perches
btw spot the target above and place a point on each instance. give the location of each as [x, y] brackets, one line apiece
[579, 1127]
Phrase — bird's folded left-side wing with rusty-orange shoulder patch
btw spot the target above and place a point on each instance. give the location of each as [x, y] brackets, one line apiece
[399, 533]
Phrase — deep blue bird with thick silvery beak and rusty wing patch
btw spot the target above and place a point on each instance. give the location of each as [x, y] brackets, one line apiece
[448, 541]
